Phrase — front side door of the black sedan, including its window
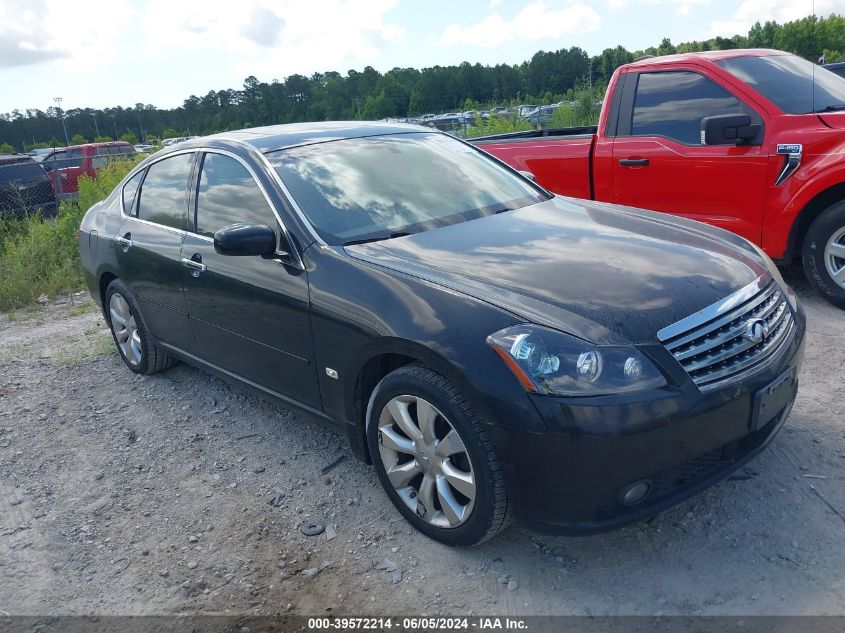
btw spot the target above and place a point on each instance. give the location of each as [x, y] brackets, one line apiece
[250, 315]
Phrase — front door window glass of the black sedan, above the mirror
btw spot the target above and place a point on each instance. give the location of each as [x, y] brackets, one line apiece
[228, 194]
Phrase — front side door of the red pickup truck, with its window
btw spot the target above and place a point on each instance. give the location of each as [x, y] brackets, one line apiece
[660, 163]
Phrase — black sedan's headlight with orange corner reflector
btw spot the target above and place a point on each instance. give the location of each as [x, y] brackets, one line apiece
[551, 362]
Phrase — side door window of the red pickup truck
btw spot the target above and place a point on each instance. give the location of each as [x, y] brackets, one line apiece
[672, 104]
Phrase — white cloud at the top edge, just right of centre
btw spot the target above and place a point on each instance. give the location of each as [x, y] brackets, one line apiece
[535, 22]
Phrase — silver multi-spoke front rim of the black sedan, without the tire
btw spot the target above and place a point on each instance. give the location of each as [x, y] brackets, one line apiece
[426, 461]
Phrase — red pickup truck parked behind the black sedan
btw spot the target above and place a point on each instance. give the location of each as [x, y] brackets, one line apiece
[752, 141]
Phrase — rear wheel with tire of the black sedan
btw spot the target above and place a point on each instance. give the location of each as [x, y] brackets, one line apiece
[131, 337]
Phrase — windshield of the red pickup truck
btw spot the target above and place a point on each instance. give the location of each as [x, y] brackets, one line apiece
[787, 81]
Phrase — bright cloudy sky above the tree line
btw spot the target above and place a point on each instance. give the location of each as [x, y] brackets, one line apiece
[101, 53]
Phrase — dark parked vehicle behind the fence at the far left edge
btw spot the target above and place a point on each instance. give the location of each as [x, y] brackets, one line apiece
[24, 187]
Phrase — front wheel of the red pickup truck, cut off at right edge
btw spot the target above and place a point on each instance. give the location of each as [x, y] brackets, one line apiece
[824, 254]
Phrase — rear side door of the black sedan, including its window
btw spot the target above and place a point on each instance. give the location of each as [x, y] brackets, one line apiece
[149, 243]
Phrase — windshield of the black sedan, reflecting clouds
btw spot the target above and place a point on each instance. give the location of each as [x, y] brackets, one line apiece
[378, 187]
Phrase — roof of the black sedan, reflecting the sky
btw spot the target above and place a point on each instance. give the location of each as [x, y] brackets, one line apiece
[278, 137]
